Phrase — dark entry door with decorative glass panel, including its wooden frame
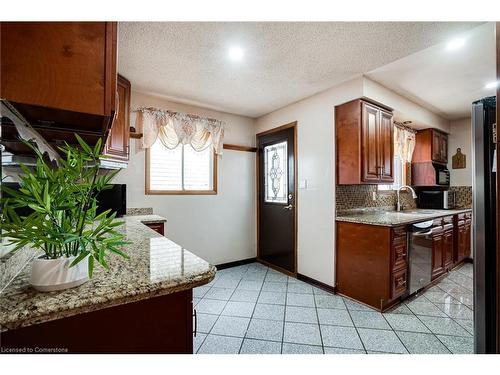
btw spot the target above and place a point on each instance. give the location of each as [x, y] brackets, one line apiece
[277, 203]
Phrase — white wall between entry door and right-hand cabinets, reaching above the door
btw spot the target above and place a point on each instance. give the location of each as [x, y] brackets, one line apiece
[315, 148]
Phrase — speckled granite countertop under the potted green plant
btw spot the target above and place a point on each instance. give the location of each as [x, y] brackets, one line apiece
[157, 266]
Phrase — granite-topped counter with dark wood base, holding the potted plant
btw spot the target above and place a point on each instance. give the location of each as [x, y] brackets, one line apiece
[142, 305]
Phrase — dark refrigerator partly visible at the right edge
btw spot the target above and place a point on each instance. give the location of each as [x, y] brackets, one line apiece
[484, 224]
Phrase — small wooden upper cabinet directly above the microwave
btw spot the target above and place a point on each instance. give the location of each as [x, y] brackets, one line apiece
[431, 146]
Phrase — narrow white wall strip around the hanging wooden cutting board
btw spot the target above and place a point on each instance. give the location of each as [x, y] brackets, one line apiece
[460, 137]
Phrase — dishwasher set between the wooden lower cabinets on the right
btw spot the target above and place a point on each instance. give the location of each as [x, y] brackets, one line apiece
[420, 254]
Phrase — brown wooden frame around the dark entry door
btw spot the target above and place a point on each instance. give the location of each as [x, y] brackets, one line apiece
[257, 179]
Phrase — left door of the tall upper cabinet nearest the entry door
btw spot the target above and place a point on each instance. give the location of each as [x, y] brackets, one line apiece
[370, 141]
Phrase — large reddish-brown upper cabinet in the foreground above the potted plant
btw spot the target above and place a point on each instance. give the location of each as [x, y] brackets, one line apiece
[61, 76]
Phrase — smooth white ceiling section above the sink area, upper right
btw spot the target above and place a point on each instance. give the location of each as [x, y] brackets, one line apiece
[443, 81]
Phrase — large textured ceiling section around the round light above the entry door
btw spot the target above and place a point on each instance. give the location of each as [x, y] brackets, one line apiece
[283, 63]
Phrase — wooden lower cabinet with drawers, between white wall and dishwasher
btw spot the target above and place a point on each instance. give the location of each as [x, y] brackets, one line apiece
[372, 263]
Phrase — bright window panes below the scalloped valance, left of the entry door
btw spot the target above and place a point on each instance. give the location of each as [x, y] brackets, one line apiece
[181, 170]
